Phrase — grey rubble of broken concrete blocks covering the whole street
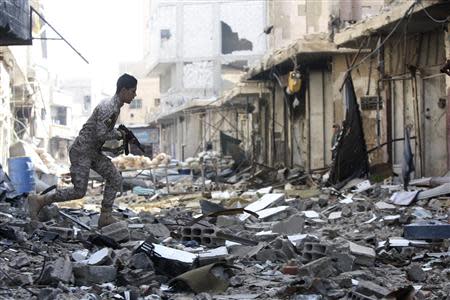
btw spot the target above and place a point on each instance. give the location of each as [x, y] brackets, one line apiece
[364, 241]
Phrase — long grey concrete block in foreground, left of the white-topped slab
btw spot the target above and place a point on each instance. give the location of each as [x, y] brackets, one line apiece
[87, 274]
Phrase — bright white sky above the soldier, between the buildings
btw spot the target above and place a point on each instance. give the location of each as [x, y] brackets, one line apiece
[105, 32]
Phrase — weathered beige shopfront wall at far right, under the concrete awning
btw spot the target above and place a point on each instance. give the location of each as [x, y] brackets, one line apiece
[422, 55]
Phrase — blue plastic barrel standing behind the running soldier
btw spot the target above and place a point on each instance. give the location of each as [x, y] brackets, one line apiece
[21, 173]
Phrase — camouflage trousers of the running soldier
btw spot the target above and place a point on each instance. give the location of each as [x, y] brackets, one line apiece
[81, 163]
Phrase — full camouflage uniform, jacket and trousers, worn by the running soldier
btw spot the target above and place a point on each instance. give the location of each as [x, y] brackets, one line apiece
[85, 154]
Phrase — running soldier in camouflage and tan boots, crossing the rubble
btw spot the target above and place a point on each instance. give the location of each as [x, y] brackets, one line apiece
[85, 154]
